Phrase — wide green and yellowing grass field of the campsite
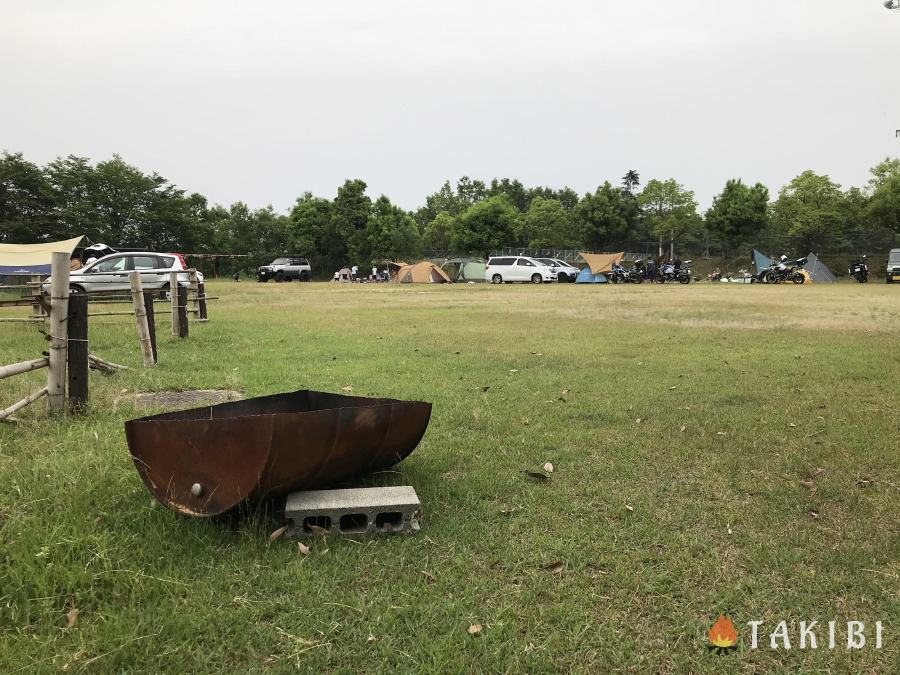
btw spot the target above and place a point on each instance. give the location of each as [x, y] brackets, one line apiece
[692, 416]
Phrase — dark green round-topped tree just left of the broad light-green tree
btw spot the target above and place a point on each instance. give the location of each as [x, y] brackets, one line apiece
[739, 214]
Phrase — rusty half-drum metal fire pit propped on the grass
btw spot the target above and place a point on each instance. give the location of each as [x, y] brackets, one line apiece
[208, 461]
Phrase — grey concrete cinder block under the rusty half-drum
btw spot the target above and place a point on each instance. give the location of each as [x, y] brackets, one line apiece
[354, 511]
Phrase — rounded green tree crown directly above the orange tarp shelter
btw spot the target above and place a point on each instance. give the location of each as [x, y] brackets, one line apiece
[606, 218]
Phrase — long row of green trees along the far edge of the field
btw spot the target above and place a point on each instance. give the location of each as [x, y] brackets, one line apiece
[115, 203]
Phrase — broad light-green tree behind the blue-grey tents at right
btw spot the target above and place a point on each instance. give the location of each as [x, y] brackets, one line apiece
[808, 212]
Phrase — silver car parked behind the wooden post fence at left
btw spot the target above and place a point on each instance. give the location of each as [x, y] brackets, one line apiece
[110, 273]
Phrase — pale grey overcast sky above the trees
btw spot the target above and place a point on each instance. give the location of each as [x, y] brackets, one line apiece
[261, 100]
